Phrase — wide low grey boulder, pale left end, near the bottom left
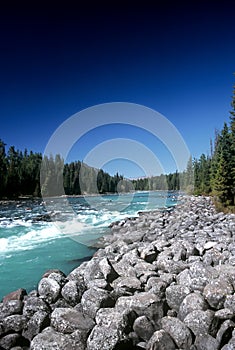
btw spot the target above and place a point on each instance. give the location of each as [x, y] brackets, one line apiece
[69, 320]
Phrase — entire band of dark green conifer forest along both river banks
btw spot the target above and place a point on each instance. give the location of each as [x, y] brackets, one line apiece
[28, 173]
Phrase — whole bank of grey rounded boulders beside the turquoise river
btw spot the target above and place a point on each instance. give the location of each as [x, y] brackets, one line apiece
[164, 280]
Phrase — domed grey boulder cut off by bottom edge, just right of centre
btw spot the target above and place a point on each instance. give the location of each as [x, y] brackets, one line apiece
[161, 340]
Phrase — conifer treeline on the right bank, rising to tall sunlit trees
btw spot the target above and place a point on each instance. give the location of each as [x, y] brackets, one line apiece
[212, 174]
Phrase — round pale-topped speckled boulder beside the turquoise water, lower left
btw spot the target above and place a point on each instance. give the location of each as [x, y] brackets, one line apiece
[49, 289]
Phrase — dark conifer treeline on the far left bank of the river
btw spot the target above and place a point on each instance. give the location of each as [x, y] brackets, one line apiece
[30, 174]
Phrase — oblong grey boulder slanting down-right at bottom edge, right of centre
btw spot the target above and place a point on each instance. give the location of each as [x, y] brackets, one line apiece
[178, 331]
